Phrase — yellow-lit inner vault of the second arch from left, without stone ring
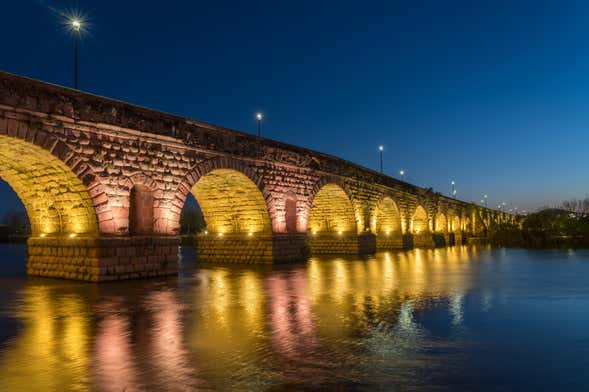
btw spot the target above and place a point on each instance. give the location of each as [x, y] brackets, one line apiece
[231, 203]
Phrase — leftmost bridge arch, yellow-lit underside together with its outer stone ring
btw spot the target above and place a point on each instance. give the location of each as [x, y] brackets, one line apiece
[60, 192]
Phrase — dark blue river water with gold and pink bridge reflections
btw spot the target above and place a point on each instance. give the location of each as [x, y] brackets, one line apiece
[461, 318]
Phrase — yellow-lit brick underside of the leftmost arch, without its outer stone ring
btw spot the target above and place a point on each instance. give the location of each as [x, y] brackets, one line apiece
[55, 199]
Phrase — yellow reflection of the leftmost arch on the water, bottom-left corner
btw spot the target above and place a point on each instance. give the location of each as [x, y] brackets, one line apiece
[54, 337]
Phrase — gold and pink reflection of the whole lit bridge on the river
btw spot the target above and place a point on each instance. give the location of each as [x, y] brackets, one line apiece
[332, 322]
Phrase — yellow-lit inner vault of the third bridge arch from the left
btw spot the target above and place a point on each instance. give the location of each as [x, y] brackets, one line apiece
[332, 211]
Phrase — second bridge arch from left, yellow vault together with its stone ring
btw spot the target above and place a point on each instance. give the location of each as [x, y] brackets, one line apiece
[227, 175]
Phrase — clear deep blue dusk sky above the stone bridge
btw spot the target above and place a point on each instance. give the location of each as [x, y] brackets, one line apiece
[494, 96]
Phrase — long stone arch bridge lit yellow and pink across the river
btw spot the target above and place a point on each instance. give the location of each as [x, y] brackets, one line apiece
[104, 183]
